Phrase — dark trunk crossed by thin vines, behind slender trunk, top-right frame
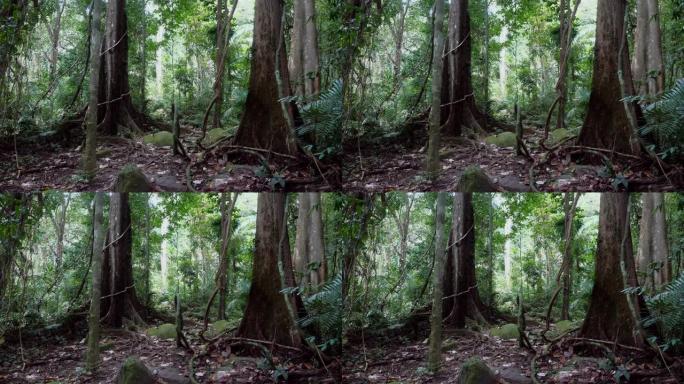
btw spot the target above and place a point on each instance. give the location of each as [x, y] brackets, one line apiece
[458, 100]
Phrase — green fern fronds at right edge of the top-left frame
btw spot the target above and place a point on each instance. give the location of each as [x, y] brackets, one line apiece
[322, 119]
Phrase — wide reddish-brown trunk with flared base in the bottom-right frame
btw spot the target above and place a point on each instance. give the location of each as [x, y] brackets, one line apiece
[610, 317]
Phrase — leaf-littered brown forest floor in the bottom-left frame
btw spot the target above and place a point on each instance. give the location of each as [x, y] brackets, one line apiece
[60, 359]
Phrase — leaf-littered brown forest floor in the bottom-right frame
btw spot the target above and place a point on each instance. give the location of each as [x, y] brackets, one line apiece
[402, 359]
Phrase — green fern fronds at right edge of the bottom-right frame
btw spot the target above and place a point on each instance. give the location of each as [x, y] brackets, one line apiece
[667, 311]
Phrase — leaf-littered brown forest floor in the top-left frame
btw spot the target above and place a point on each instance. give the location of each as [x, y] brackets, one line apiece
[223, 168]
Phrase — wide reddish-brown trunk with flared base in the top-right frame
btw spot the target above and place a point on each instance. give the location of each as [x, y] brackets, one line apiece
[607, 124]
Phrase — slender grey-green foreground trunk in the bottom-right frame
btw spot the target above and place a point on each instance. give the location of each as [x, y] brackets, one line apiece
[435, 351]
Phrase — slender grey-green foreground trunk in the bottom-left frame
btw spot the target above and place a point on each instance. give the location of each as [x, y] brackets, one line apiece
[92, 355]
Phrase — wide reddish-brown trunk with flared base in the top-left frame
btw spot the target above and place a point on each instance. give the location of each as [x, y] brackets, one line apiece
[264, 123]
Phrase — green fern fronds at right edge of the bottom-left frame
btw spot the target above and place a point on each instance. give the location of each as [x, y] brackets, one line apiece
[324, 308]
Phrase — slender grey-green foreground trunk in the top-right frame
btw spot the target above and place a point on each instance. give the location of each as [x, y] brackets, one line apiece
[434, 140]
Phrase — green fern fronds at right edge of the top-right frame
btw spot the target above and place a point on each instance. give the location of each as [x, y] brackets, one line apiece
[665, 121]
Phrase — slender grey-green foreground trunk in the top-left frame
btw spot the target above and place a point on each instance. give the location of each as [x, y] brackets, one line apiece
[91, 119]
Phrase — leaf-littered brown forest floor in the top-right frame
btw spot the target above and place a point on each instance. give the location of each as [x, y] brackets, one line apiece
[400, 165]
